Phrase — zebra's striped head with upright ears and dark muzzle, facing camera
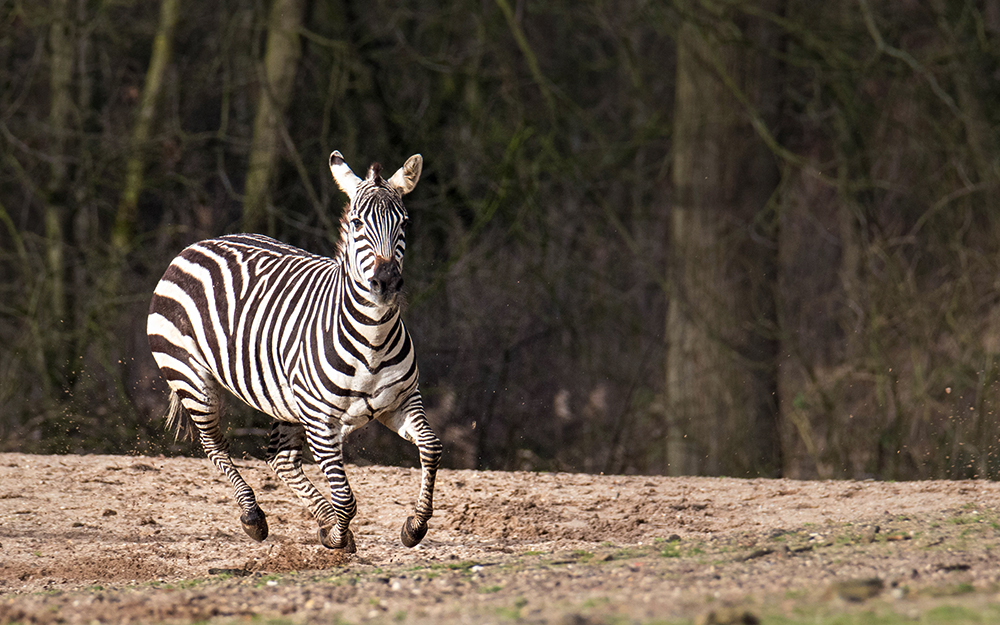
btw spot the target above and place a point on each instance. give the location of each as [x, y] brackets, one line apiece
[373, 230]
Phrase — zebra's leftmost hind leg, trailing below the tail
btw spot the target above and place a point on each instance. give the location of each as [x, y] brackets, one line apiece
[205, 408]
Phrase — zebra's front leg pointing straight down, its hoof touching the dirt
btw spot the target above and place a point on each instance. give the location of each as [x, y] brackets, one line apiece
[326, 444]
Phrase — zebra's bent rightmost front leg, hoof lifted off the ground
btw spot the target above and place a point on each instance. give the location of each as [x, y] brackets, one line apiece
[410, 422]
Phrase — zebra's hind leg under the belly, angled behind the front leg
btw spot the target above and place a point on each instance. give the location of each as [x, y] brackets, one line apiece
[284, 456]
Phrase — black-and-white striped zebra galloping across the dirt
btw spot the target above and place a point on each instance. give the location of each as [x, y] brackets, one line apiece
[317, 343]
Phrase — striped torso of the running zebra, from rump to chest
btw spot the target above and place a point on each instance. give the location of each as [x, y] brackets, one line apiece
[304, 371]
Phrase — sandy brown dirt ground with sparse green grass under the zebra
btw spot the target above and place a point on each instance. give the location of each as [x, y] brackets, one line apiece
[121, 538]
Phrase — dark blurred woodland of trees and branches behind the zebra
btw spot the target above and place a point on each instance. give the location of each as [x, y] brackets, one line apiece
[744, 237]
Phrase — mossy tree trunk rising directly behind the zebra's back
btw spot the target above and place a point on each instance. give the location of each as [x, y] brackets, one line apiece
[281, 59]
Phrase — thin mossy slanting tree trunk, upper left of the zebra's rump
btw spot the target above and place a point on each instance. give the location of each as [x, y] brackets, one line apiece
[123, 233]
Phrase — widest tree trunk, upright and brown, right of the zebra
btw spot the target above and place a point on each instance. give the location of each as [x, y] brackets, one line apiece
[721, 320]
